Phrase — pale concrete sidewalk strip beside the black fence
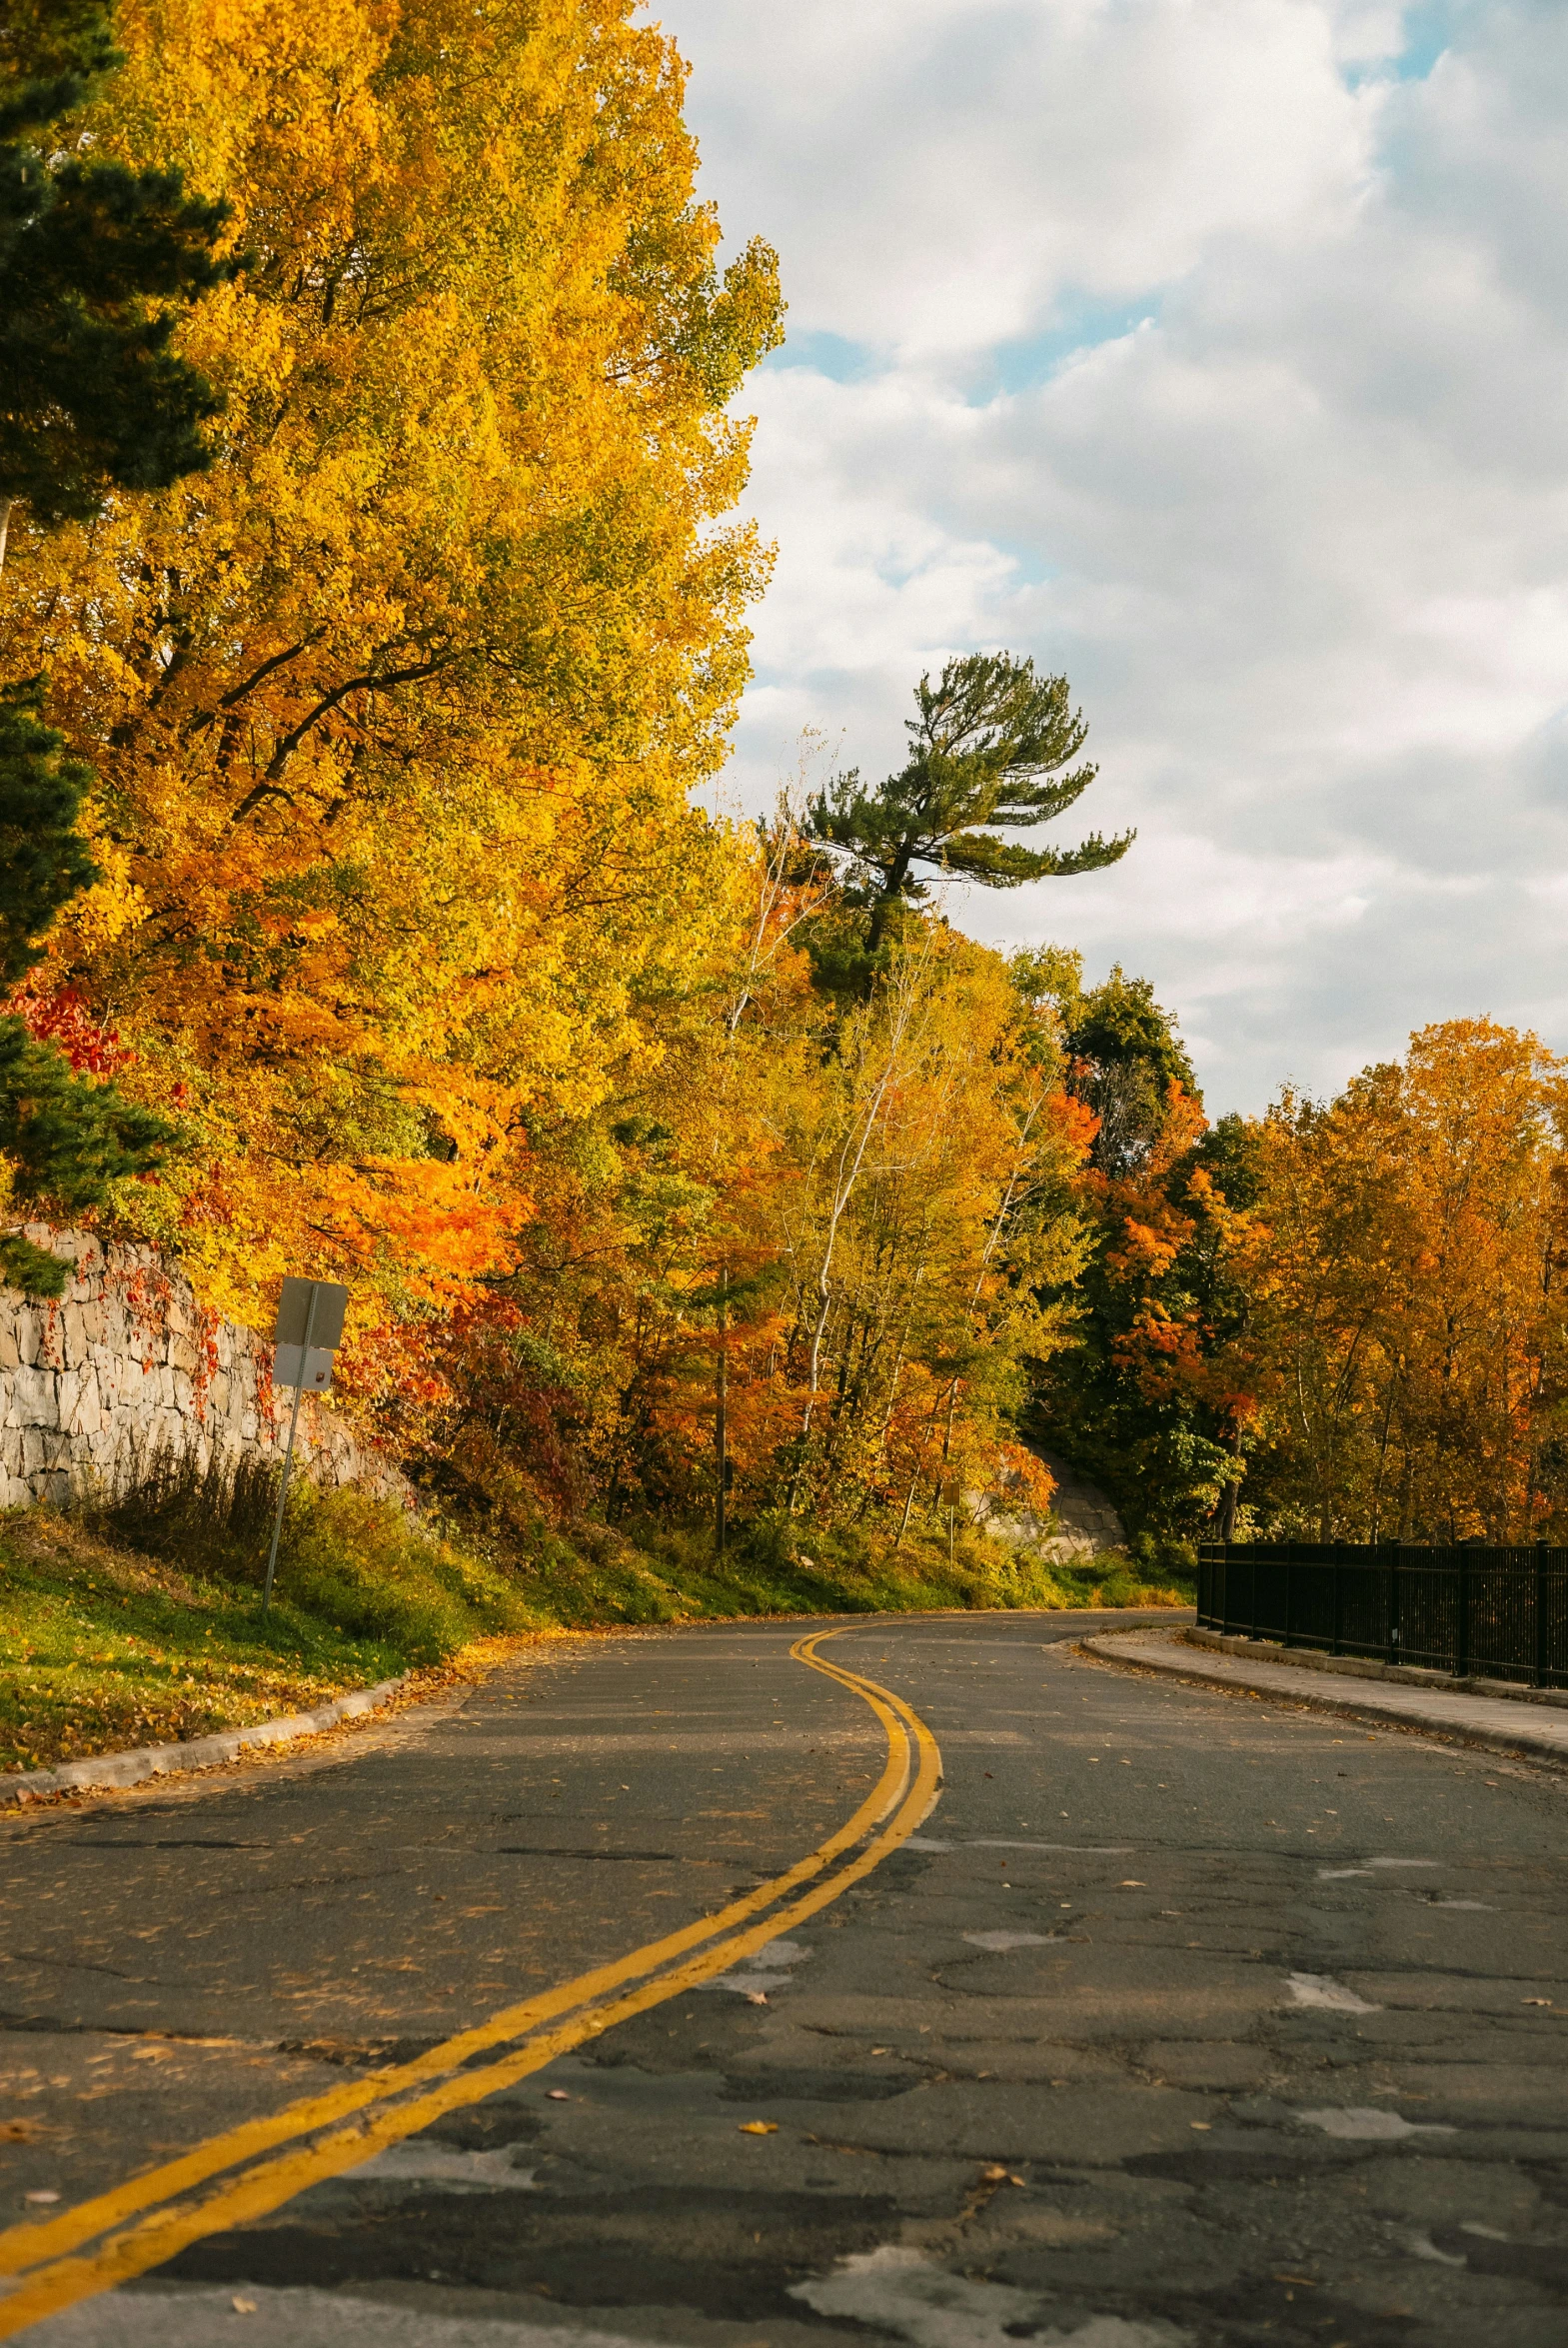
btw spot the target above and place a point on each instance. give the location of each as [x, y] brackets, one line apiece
[1496, 1722]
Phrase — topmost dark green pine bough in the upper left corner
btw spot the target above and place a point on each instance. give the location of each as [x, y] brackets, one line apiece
[95, 266]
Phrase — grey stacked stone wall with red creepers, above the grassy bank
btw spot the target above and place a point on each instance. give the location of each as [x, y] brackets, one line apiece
[128, 1365]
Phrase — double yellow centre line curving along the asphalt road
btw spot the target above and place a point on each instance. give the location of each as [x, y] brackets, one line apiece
[264, 2164]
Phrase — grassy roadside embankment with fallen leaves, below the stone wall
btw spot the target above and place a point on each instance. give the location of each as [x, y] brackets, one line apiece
[140, 1624]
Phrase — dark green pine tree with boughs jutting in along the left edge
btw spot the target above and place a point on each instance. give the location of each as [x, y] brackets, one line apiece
[95, 264]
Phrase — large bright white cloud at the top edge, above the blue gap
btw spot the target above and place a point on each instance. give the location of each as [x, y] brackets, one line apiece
[947, 173]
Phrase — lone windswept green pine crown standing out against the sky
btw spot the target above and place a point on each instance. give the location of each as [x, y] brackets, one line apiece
[989, 748]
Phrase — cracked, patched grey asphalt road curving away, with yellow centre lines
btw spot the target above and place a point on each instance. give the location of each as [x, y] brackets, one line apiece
[1177, 2020]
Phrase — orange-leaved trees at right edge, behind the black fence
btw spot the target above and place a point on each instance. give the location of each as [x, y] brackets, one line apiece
[1412, 1302]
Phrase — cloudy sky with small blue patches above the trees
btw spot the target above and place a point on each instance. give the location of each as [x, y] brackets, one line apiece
[1217, 356]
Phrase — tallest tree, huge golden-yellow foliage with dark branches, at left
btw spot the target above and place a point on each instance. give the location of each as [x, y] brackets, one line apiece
[400, 706]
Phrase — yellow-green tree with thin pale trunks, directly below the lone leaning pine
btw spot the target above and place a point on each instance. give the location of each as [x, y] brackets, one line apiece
[931, 1213]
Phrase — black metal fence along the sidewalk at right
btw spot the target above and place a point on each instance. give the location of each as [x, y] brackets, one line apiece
[1475, 1612]
